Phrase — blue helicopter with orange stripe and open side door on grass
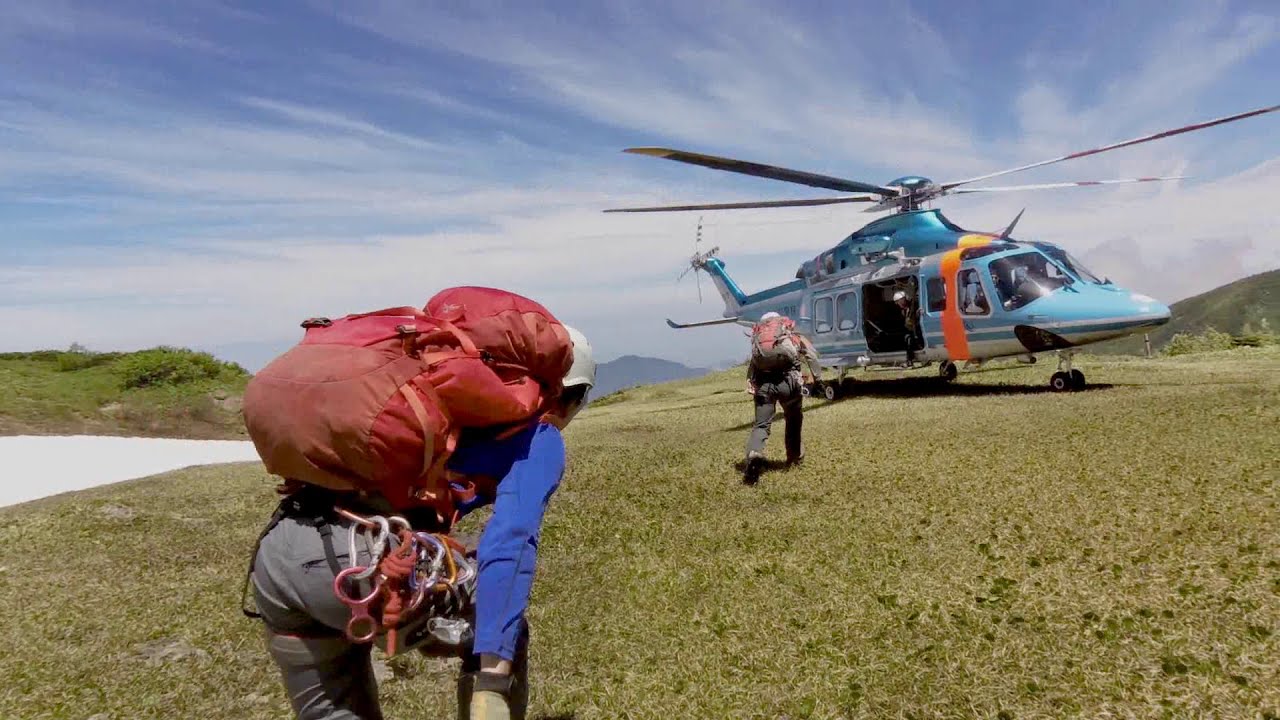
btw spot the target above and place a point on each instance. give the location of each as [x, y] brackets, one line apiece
[913, 289]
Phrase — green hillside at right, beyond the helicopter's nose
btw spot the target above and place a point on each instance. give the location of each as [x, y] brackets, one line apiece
[1237, 308]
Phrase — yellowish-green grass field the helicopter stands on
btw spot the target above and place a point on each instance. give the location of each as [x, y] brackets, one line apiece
[980, 550]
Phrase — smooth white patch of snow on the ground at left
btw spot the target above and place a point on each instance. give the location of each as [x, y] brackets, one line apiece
[39, 467]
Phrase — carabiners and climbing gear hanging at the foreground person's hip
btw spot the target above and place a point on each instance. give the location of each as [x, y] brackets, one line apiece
[422, 566]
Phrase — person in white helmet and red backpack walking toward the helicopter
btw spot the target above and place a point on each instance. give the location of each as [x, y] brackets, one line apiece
[776, 376]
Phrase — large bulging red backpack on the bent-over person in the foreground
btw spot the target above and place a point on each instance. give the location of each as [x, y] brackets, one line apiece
[376, 402]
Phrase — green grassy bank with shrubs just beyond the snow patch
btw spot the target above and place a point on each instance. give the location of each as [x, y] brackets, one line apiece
[154, 393]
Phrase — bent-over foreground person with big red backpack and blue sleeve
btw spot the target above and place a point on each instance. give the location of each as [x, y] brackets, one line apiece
[388, 427]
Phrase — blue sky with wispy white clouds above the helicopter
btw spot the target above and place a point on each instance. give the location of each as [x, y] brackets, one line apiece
[211, 174]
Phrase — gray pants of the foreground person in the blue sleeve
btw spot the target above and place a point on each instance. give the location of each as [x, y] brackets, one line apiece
[326, 676]
